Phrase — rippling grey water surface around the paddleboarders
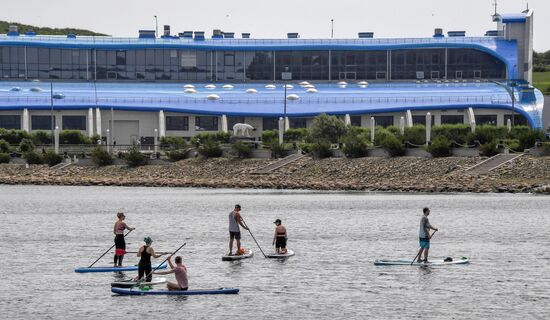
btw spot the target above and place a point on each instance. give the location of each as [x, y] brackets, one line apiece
[48, 231]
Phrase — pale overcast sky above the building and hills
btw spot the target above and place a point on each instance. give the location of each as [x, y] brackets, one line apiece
[273, 19]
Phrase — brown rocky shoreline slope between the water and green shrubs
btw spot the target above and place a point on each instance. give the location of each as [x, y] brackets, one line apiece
[405, 174]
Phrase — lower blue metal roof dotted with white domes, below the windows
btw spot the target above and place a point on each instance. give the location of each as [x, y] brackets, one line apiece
[330, 98]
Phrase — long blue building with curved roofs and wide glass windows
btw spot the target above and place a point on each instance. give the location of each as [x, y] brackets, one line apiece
[138, 88]
